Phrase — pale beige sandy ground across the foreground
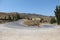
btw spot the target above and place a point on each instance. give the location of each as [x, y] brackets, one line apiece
[28, 33]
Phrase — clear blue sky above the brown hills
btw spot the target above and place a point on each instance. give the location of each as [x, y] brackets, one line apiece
[44, 7]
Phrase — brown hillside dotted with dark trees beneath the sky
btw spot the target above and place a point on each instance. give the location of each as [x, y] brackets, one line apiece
[12, 16]
